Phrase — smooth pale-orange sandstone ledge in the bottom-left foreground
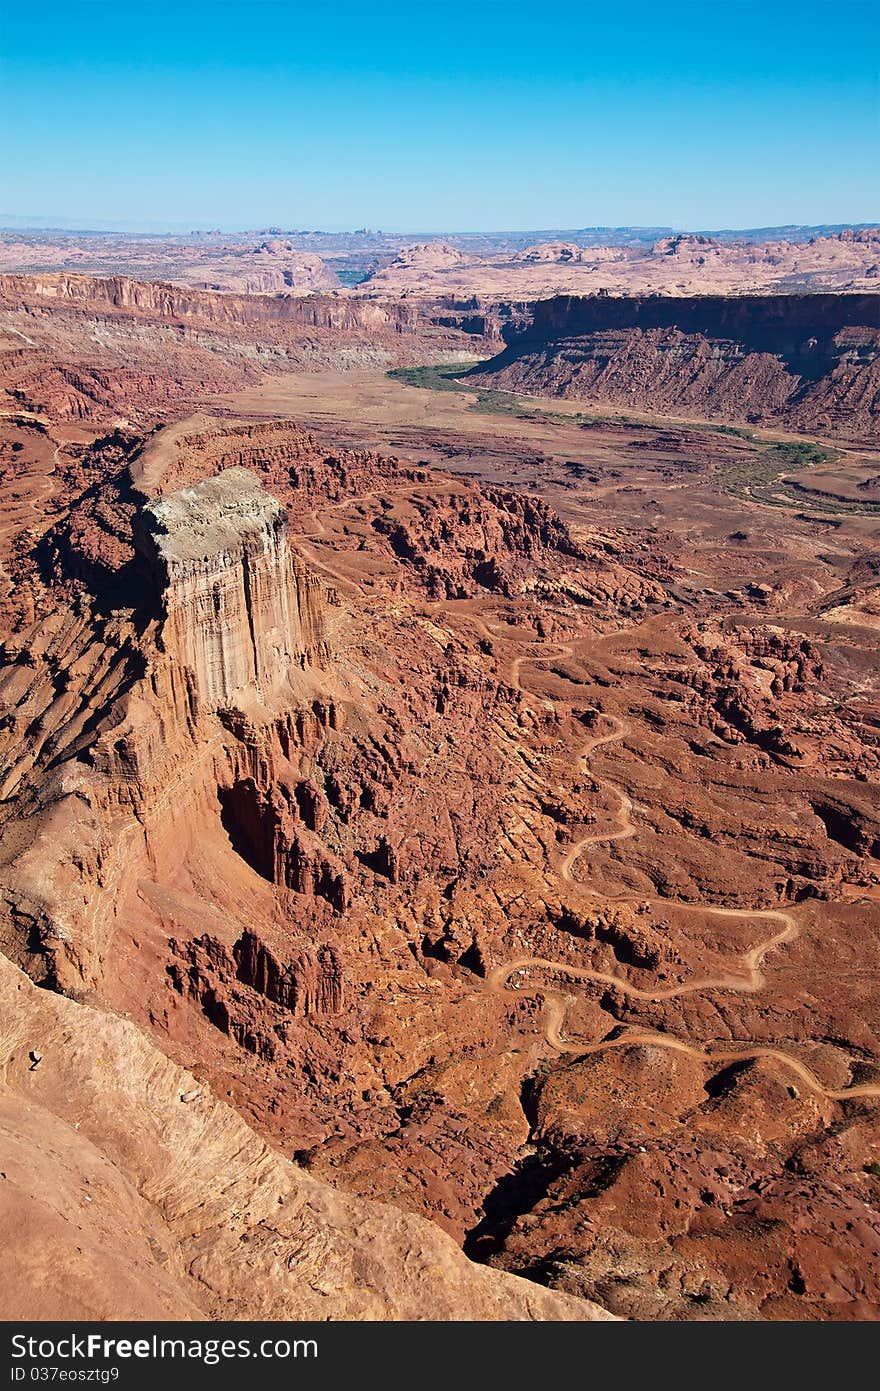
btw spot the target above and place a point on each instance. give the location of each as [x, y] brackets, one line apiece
[130, 1191]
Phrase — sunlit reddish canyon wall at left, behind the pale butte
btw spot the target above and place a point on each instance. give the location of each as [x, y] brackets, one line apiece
[115, 350]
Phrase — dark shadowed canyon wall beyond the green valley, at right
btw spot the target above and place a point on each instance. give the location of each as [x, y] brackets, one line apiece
[810, 362]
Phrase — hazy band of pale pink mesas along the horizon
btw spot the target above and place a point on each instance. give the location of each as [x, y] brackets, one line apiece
[512, 266]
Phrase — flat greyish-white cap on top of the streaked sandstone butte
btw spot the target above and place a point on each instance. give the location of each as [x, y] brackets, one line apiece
[213, 517]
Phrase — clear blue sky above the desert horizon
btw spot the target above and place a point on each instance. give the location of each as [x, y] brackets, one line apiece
[427, 116]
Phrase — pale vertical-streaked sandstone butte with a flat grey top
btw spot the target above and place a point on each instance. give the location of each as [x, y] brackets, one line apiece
[241, 609]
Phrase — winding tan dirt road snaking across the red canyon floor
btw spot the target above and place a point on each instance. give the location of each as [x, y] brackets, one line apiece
[750, 980]
